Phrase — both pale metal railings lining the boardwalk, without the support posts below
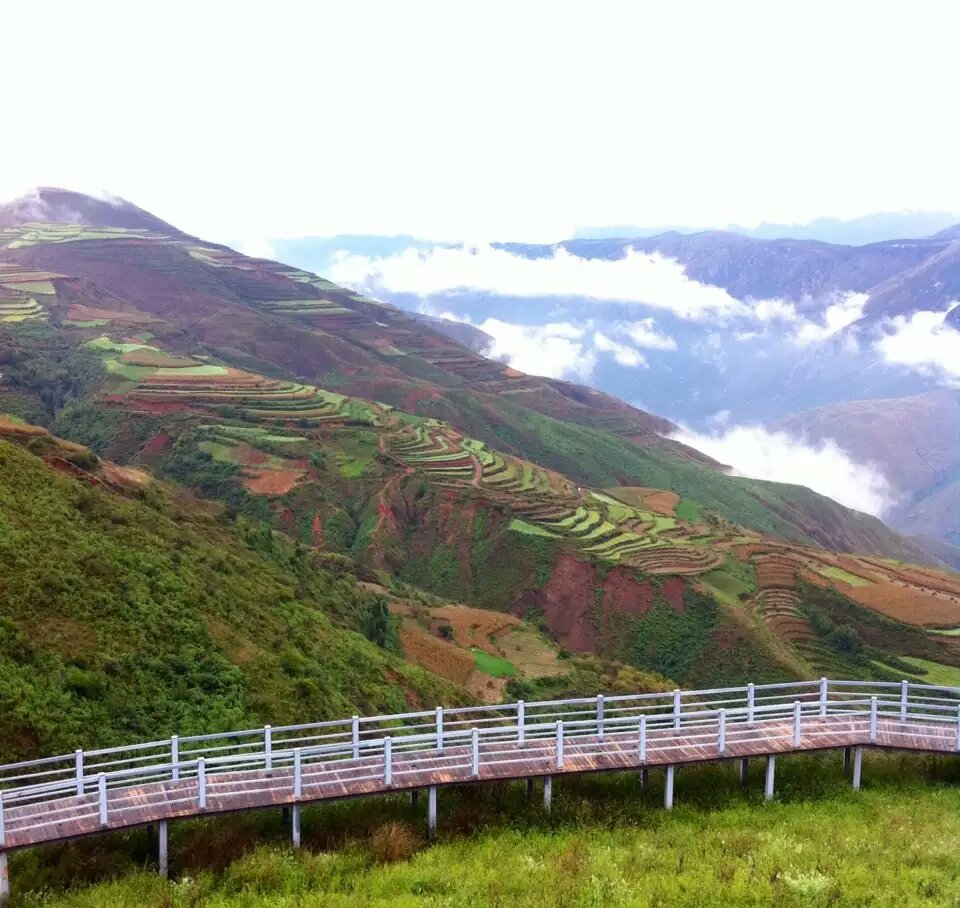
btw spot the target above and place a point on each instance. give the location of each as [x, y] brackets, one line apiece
[383, 750]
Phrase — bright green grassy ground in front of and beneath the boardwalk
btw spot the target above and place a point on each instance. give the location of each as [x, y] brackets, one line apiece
[608, 844]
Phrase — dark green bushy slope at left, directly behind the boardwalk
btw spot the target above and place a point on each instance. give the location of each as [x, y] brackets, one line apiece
[140, 614]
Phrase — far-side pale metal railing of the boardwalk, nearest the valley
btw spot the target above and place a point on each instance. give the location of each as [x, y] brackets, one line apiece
[365, 738]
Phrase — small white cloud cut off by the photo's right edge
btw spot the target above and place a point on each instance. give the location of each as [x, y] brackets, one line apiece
[924, 343]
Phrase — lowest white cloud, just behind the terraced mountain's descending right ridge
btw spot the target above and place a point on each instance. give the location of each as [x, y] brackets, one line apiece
[826, 468]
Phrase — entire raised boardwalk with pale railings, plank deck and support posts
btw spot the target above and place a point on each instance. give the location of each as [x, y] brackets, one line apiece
[83, 794]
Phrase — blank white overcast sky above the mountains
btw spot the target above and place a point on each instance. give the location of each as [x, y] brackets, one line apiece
[476, 120]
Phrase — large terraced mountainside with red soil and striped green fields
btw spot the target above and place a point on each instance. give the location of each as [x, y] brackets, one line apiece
[556, 515]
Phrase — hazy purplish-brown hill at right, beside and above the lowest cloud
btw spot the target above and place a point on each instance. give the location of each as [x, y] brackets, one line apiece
[916, 443]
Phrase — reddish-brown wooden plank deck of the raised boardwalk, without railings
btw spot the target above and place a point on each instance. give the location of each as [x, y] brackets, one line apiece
[71, 817]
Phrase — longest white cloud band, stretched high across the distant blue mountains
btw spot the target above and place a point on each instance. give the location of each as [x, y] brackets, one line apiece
[654, 280]
